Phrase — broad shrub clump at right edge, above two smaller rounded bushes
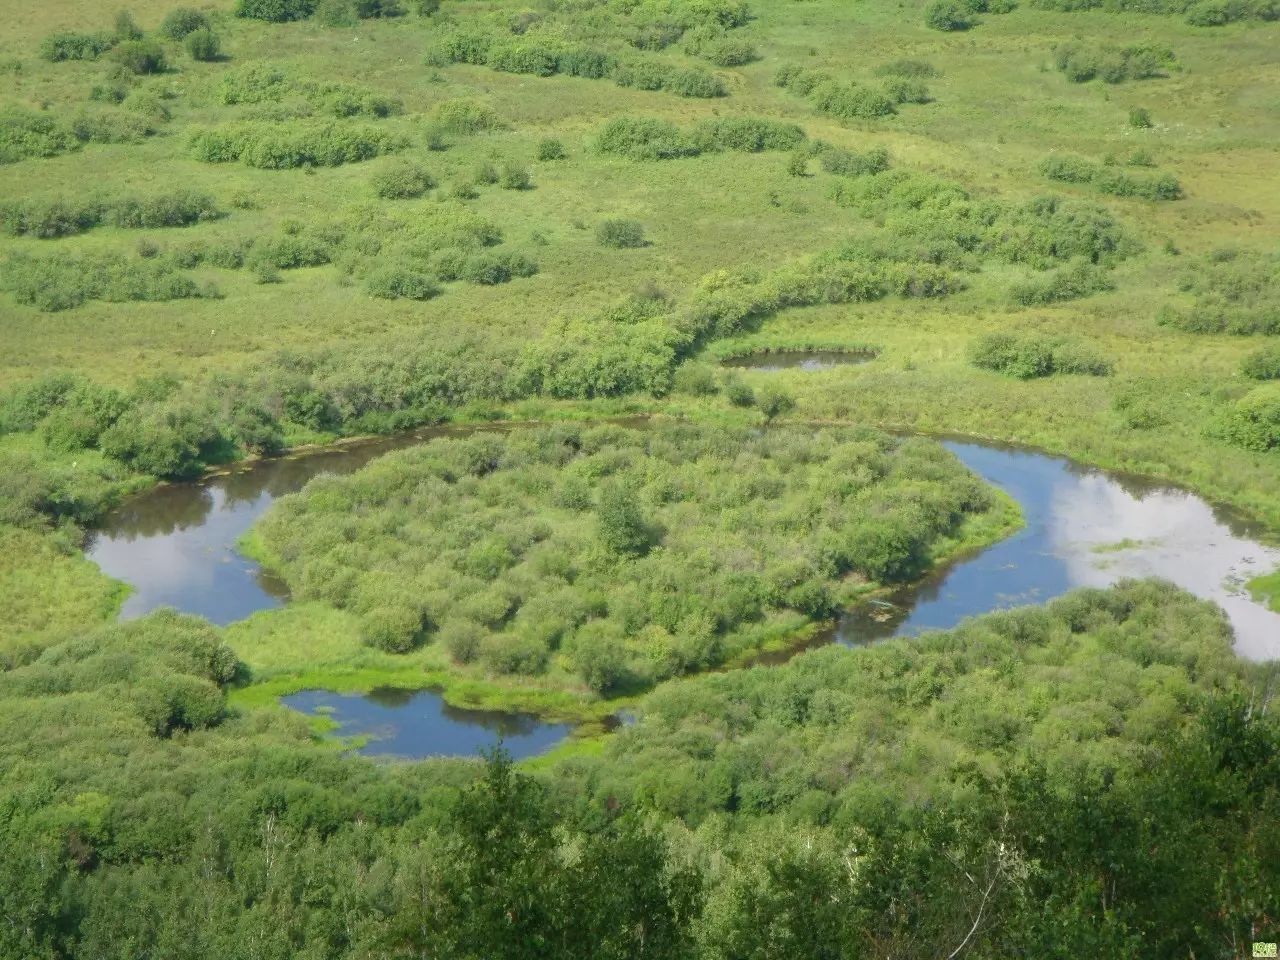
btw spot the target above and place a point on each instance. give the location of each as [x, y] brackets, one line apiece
[1233, 292]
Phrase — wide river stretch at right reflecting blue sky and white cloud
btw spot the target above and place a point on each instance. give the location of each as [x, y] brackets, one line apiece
[1085, 528]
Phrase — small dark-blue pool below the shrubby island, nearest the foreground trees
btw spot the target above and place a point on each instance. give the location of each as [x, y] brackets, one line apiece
[418, 724]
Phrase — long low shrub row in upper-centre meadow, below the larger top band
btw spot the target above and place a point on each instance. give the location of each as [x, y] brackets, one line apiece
[651, 139]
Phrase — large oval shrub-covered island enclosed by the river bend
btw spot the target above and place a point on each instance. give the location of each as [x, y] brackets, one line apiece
[537, 542]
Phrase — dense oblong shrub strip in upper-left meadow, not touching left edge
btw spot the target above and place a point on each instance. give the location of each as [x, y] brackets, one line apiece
[280, 147]
